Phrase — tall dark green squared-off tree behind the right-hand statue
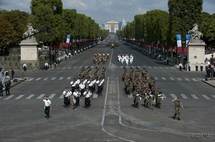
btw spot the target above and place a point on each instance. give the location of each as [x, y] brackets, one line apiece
[182, 15]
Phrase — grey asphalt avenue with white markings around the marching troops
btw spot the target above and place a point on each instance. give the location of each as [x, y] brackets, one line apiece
[111, 118]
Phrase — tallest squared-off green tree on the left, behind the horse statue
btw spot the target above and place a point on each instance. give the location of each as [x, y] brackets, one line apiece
[48, 21]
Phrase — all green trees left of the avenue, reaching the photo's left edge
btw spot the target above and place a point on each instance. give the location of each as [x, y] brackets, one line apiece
[51, 21]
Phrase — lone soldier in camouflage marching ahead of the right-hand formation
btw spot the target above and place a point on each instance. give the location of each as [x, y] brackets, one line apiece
[178, 106]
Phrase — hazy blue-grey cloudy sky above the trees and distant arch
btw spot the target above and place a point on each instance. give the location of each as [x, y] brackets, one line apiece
[103, 10]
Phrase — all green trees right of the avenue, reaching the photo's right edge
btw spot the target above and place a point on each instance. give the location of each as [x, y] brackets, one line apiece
[160, 27]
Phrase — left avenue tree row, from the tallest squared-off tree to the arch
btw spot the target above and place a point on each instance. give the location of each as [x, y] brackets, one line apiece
[54, 23]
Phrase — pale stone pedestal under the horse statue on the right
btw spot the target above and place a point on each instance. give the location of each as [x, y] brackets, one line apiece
[196, 55]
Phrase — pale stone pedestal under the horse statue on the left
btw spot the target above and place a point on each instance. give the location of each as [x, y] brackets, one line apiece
[29, 51]
